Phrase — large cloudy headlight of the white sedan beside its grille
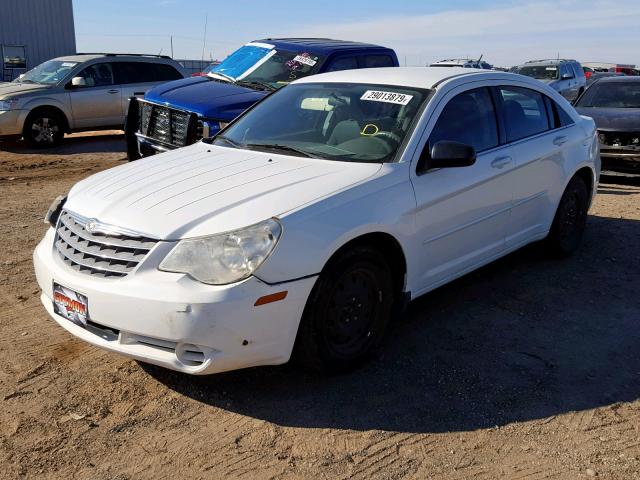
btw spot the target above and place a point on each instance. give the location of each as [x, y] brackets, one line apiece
[226, 257]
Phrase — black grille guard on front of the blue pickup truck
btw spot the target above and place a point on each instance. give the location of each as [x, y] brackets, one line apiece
[166, 125]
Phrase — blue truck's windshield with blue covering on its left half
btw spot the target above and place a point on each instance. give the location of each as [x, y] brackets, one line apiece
[263, 64]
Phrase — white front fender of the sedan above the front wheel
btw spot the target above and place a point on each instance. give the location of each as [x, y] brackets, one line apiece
[313, 233]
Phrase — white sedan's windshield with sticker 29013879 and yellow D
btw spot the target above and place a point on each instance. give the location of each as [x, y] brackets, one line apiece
[334, 121]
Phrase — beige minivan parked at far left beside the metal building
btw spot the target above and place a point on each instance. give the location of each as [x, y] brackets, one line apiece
[78, 92]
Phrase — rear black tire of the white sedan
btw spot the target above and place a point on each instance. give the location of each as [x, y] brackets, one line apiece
[570, 219]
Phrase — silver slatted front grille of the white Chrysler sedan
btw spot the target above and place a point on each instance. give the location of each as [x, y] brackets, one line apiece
[98, 254]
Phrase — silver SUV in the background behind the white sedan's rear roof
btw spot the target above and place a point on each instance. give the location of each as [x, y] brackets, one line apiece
[564, 76]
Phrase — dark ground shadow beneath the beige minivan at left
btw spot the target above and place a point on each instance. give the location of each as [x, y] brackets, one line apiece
[111, 142]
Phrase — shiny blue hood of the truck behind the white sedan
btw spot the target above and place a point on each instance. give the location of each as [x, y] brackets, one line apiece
[207, 97]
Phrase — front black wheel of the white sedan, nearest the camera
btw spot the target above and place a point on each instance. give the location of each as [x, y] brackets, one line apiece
[347, 313]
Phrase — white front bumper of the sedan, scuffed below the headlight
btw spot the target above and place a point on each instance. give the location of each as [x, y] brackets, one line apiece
[170, 320]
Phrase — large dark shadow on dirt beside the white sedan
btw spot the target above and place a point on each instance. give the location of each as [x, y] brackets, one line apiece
[526, 337]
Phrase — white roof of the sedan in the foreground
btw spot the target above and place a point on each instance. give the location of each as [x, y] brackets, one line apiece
[417, 77]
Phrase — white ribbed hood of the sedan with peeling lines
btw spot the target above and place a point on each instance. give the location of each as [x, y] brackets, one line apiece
[204, 189]
